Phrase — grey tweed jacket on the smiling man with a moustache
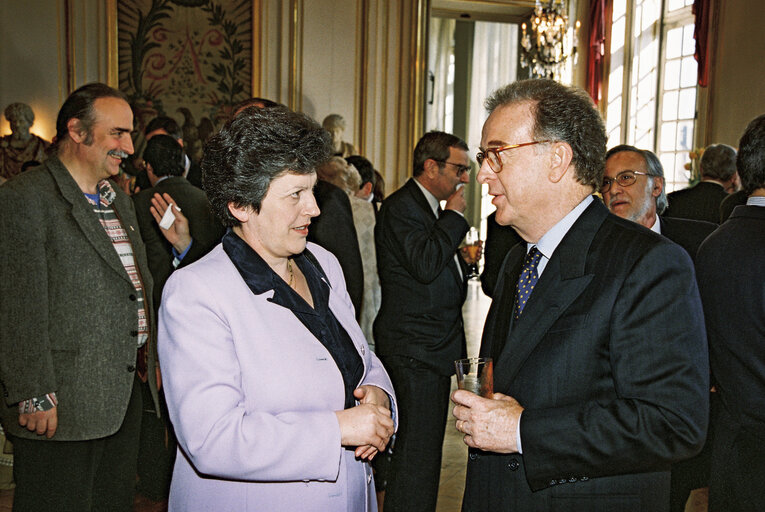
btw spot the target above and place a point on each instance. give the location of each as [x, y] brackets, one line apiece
[68, 319]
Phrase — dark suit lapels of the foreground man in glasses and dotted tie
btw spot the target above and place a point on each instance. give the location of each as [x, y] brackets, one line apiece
[563, 280]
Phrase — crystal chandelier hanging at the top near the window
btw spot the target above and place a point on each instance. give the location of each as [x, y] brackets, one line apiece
[544, 47]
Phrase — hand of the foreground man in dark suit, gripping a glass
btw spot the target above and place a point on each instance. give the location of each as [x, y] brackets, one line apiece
[488, 424]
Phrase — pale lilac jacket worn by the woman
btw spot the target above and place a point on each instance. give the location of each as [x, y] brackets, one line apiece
[252, 395]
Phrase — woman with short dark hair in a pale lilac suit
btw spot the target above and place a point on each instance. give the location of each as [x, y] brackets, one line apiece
[276, 399]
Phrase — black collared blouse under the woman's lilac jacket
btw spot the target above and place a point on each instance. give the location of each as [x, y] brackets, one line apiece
[320, 320]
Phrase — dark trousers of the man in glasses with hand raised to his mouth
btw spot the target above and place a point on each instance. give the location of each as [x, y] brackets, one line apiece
[423, 403]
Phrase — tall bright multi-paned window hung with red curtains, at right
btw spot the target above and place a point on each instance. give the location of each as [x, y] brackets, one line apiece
[651, 101]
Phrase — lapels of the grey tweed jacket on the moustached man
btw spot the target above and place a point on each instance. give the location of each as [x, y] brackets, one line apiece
[82, 212]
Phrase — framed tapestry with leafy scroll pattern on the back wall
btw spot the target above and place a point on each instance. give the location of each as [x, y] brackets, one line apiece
[187, 59]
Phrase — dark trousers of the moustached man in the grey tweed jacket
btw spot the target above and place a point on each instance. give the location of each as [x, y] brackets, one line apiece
[95, 475]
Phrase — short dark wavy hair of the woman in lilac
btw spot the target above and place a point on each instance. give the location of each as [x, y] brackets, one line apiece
[256, 147]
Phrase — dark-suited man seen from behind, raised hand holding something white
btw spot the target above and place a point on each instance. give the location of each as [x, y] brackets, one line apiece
[163, 158]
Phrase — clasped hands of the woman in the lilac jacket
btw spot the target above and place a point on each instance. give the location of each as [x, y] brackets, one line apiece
[368, 426]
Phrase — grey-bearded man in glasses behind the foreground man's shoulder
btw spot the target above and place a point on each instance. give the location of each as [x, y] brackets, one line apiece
[633, 189]
